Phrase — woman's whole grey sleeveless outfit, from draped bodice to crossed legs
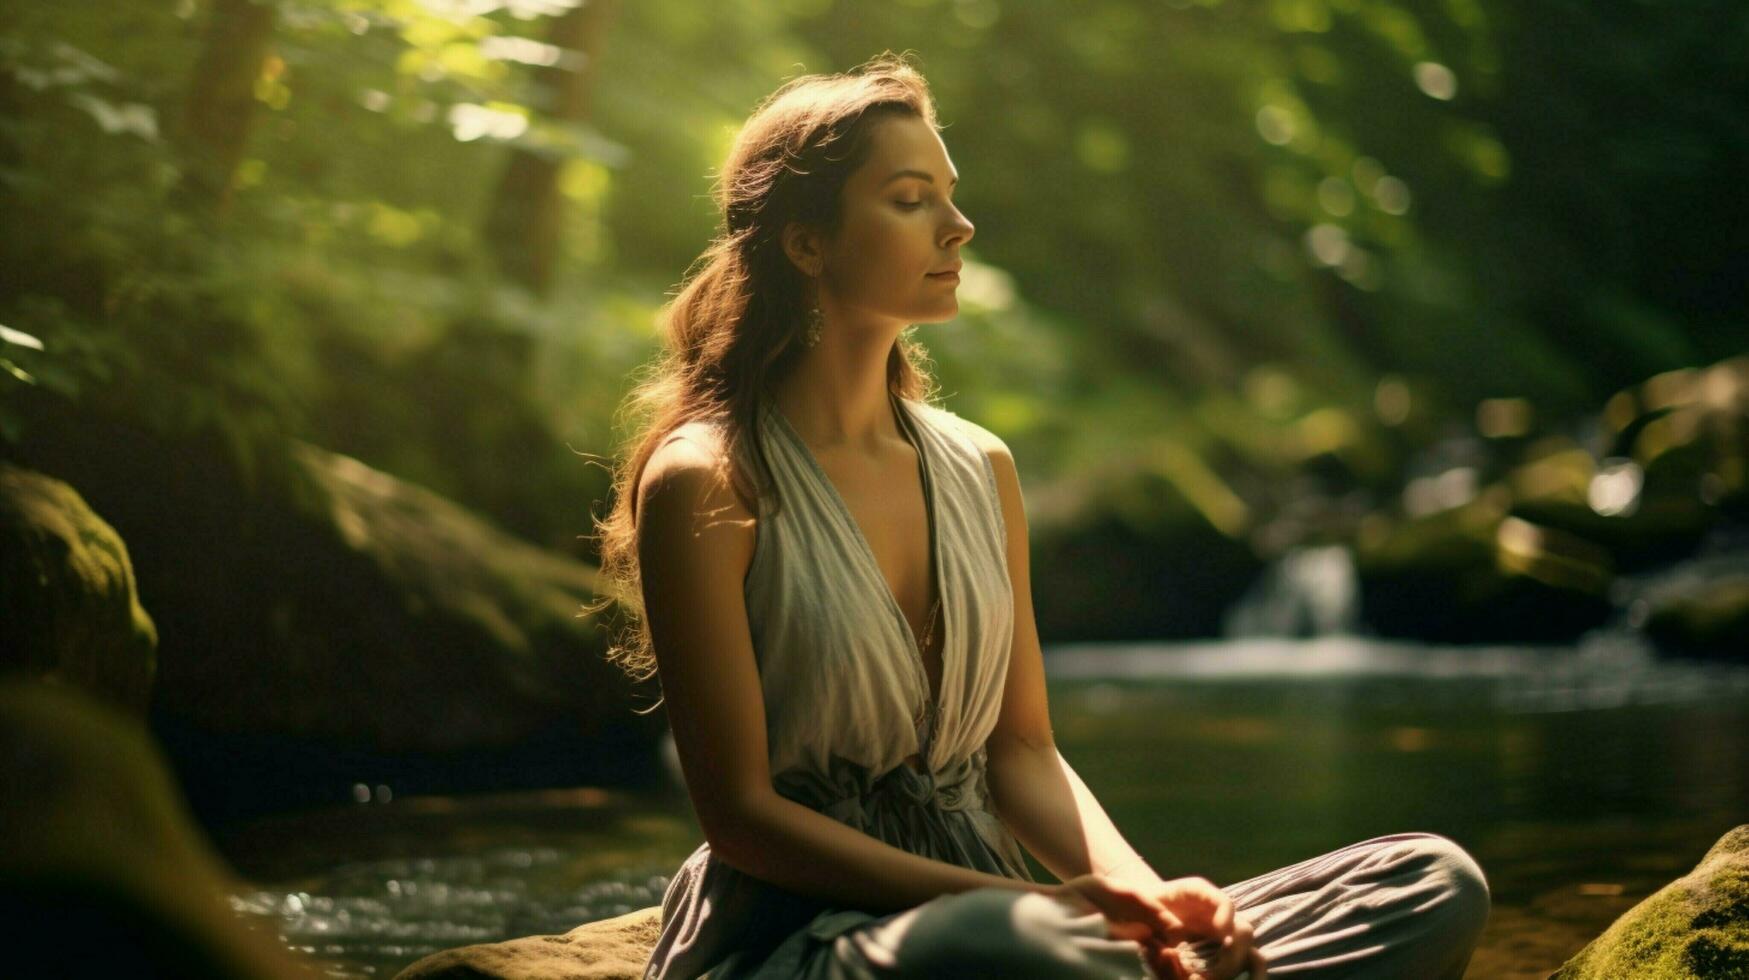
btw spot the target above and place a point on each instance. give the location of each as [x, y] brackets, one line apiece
[844, 682]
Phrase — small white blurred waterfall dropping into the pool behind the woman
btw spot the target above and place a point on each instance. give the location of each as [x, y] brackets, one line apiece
[1309, 592]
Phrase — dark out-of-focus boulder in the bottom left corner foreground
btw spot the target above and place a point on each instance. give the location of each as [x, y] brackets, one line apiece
[102, 867]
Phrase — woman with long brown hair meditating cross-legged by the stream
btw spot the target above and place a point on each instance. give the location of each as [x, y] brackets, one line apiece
[832, 578]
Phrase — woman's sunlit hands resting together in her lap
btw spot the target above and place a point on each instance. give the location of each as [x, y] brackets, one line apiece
[1166, 914]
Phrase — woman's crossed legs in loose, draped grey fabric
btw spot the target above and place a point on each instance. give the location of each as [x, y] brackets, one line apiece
[1409, 906]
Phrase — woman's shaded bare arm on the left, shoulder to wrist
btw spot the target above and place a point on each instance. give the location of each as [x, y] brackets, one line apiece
[695, 543]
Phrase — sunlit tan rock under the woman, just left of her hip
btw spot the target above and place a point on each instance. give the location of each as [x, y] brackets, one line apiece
[611, 949]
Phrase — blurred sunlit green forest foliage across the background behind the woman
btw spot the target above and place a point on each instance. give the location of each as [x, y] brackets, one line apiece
[1227, 246]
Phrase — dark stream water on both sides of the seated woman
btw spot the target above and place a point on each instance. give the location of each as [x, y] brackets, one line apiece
[1580, 778]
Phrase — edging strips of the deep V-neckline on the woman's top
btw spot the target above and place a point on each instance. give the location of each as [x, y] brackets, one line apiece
[861, 547]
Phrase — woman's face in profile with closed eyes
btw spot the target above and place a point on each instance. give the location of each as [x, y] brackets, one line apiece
[900, 227]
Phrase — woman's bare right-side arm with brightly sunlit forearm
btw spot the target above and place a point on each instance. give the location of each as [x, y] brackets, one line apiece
[1033, 787]
